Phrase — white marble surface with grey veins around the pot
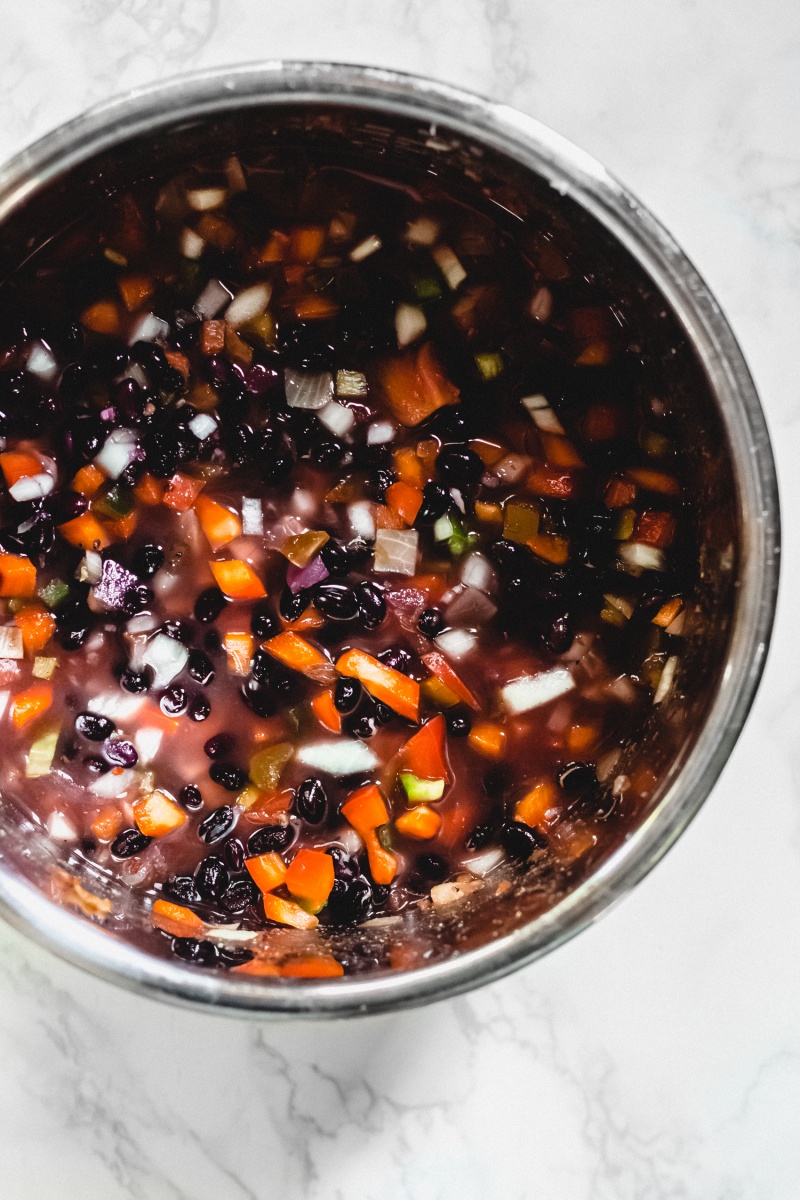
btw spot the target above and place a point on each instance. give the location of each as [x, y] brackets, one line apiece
[657, 1058]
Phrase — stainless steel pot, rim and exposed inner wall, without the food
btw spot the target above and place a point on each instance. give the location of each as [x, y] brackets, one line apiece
[389, 116]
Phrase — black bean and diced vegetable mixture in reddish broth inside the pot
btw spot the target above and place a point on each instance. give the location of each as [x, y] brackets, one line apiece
[342, 551]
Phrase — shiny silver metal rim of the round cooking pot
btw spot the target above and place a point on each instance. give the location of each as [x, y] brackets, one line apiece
[574, 173]
